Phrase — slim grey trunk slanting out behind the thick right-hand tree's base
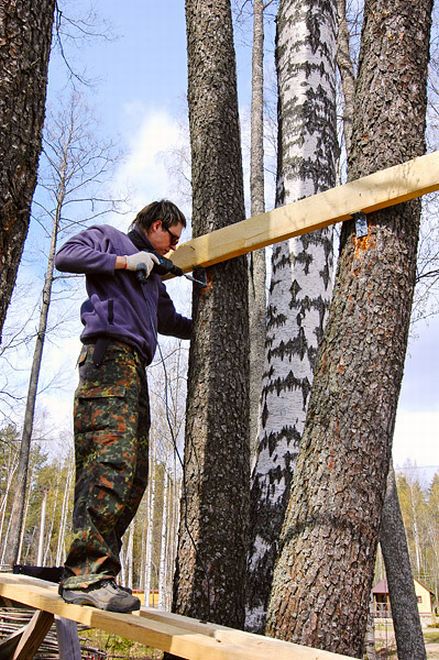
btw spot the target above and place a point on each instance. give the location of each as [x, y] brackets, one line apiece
[405, 613]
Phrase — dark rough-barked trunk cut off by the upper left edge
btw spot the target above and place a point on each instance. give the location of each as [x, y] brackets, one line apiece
[25, 39]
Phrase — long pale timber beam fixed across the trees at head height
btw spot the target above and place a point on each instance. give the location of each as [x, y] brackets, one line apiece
[370, 193]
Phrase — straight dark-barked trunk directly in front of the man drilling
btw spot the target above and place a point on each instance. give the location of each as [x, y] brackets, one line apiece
[214, 505]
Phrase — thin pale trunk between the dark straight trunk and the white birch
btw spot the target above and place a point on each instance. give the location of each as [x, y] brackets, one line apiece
[257, 275]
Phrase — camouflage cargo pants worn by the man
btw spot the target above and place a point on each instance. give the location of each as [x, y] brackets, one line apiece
[111, 422]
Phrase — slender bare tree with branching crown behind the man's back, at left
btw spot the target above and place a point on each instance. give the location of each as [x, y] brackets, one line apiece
[75, 167]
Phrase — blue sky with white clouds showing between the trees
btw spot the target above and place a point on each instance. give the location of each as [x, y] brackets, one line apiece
[138, 95]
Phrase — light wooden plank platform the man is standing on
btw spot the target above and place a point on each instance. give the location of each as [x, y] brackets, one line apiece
[179, 635]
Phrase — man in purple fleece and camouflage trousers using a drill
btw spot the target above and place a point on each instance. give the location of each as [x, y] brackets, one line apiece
[122, 316]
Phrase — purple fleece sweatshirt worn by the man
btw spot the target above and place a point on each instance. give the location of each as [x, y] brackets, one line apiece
[119, 305]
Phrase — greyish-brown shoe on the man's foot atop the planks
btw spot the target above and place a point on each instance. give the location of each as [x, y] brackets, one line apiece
[105, 595]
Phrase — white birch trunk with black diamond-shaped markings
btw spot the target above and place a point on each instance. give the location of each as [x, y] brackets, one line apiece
[301, 275]
